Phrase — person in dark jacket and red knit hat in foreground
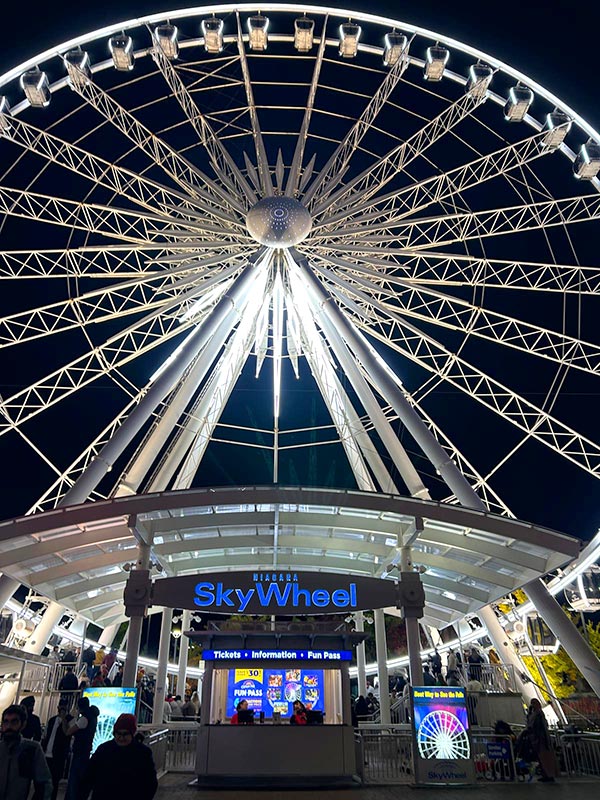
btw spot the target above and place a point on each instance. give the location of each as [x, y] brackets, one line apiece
[123, 767]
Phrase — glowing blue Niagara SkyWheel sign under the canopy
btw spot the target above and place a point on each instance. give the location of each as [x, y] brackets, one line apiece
[268, 592]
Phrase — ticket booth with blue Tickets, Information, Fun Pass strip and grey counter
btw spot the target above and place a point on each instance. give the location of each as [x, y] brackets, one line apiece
[270, 671]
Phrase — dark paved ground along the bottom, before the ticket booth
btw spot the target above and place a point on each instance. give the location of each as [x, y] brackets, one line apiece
[176, 786]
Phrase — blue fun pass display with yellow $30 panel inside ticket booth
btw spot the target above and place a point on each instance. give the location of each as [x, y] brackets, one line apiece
[275, 690]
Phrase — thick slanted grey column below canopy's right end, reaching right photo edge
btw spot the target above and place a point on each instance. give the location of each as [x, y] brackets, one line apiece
[562, 627]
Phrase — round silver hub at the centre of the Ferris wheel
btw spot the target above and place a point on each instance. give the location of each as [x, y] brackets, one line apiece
[278, 222]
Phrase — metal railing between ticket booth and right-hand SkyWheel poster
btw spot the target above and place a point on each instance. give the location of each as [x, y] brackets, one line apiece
[384, 754]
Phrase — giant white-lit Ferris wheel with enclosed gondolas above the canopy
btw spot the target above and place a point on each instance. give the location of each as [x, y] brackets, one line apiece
[197, 198]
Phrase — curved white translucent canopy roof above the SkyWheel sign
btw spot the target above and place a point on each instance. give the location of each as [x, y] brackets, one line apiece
[75, 555]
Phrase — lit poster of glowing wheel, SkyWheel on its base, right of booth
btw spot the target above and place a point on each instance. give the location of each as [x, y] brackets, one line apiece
[442, 749]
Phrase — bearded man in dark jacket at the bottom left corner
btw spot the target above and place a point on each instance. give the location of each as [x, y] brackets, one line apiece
[22, 761]
